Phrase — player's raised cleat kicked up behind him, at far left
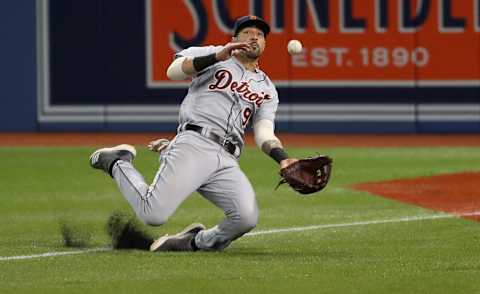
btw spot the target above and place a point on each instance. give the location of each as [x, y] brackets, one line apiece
[104, 158]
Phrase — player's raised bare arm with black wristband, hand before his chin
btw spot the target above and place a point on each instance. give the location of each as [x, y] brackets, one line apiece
[186, 66]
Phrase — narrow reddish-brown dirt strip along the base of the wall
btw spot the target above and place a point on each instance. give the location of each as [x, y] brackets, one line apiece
[294, 140]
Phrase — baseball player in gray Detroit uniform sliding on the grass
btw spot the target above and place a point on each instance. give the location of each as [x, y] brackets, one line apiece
[228, 92]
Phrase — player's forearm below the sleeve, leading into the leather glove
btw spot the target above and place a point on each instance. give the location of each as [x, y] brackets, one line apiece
[269, 143]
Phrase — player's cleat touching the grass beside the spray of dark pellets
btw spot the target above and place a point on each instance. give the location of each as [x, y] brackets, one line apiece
[179, 242]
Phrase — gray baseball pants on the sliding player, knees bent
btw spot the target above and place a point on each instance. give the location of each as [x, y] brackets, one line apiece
[191, 163]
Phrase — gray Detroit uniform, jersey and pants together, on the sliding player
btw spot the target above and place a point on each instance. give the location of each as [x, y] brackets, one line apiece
[224, 98]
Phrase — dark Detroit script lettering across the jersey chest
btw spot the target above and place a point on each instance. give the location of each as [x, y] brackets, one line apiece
[223, 80]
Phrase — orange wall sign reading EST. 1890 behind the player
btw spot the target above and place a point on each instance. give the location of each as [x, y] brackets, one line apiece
[346, 42]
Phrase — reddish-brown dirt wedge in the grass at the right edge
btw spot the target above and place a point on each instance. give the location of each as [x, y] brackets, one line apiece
[452, 193]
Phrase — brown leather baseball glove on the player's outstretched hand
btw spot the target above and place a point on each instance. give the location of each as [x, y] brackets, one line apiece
[308, 175]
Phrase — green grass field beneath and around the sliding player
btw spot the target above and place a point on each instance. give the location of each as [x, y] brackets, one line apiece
[42, 187]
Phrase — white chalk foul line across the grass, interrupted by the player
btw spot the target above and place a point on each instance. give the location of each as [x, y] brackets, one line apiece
[266, 232]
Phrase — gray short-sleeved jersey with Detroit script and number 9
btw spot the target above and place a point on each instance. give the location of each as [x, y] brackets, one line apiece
[226, 97]
